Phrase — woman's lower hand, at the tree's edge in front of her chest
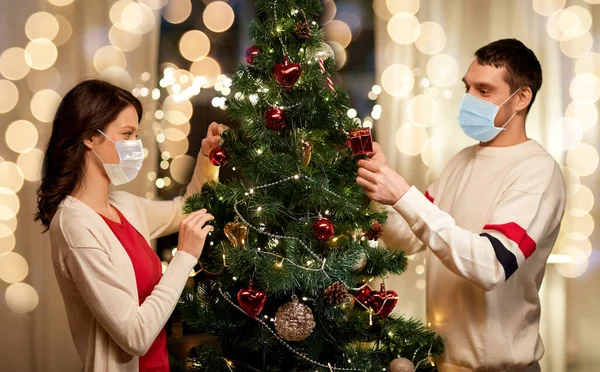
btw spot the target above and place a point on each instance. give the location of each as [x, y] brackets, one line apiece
[193, 232]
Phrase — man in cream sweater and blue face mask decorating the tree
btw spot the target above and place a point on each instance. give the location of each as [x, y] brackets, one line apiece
[490, 221]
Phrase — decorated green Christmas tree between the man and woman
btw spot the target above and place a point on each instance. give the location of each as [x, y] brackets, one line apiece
[284, 278]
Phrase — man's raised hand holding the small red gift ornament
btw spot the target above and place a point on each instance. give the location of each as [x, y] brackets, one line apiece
[380, 182]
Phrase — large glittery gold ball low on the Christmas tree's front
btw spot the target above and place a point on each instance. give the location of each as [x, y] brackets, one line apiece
[294, 321]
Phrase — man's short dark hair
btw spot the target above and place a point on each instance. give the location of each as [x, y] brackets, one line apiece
[522, 66]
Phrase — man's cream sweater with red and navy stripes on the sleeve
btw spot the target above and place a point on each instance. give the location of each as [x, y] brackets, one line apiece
[490, 223]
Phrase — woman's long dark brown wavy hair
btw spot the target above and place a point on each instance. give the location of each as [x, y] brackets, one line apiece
[91, 105]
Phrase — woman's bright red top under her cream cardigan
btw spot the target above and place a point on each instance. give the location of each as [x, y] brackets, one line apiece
[148, 271]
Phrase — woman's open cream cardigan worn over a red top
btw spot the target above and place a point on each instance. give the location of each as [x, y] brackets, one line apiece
[96, 278]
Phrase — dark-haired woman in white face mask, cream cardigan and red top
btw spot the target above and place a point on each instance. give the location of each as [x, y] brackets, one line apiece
[117, 299]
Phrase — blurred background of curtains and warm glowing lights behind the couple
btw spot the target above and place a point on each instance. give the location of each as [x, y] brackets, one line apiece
[401, 60]
